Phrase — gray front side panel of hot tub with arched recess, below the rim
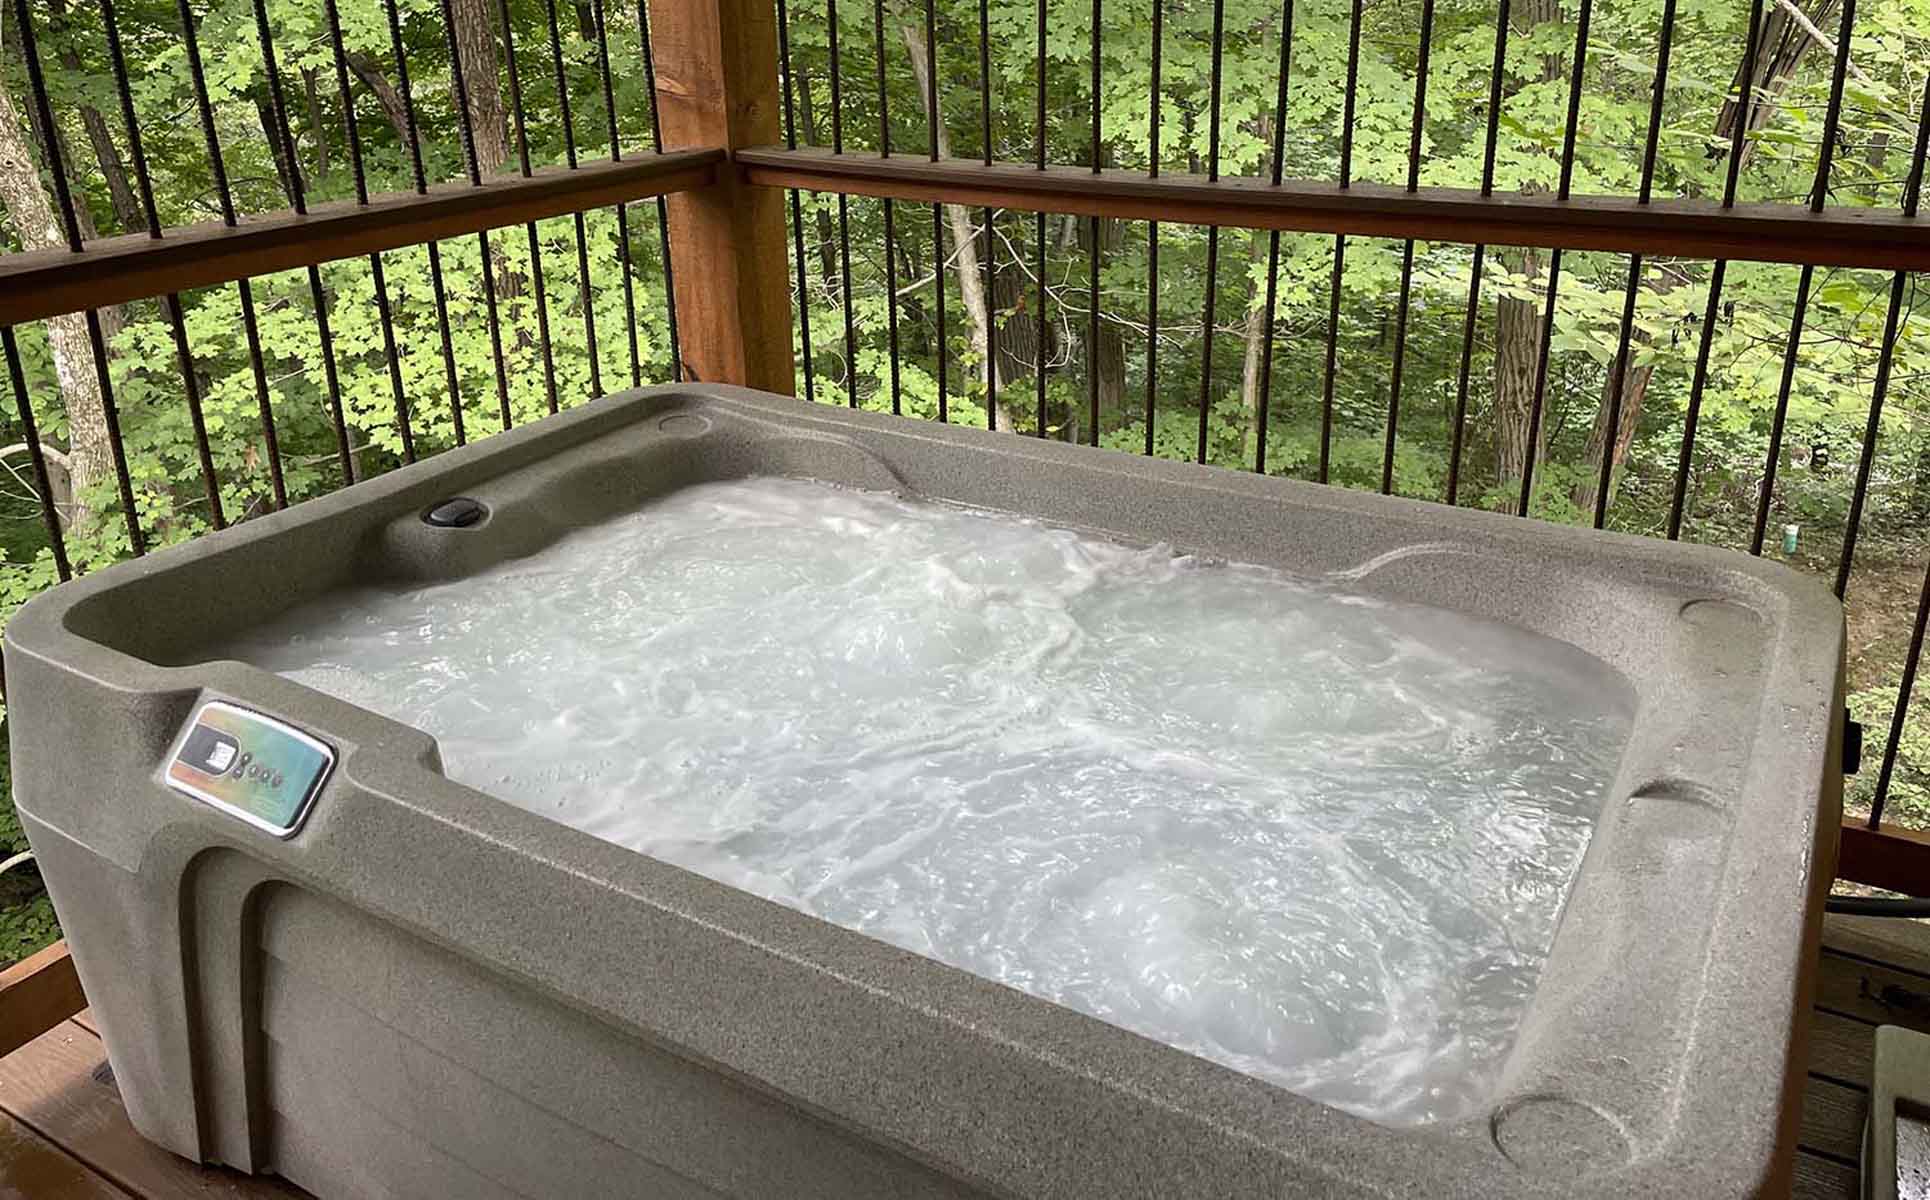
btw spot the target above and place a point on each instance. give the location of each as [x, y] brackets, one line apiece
[277, 1029]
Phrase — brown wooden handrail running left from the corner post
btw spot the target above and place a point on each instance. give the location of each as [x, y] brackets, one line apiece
[136, 267]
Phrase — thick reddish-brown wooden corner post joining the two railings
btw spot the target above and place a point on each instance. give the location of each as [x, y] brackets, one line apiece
[717, 86]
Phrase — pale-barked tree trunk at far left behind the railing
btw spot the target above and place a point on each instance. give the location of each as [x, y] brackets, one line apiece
[32, 215]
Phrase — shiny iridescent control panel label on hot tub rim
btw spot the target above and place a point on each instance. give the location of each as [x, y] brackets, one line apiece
[250, 767]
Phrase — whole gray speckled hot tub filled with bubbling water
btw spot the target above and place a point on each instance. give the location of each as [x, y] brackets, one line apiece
[319, 946]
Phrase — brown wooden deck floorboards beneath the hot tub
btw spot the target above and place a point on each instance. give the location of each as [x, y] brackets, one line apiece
[63, 1130]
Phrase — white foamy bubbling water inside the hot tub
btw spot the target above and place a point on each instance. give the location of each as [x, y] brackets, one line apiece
[1313, 836]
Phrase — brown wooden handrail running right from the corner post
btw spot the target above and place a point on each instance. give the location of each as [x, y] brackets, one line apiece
[1665, 229]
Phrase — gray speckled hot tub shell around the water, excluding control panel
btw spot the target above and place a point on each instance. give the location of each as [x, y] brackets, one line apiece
[433, 993]
